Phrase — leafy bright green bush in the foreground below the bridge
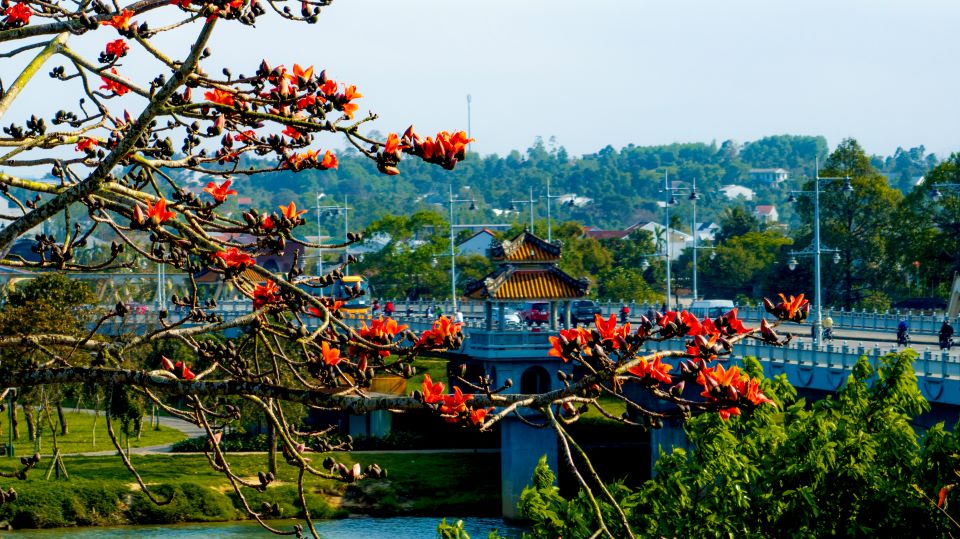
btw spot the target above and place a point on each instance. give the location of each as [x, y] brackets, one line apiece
[845, 465]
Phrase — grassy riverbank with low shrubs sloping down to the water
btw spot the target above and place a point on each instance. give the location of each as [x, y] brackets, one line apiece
[101, 492]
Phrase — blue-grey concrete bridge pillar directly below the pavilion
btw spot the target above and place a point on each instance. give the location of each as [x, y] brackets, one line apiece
[521, 447]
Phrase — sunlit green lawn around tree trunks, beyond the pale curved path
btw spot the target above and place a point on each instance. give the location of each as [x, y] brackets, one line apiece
[80, 437]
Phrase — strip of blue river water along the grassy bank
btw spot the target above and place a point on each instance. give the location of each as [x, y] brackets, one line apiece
[348, 528]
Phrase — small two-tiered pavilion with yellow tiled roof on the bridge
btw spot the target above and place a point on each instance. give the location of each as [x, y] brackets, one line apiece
[526, 271]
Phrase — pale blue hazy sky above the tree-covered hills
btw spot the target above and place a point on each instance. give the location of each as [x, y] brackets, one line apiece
[603, 72]
